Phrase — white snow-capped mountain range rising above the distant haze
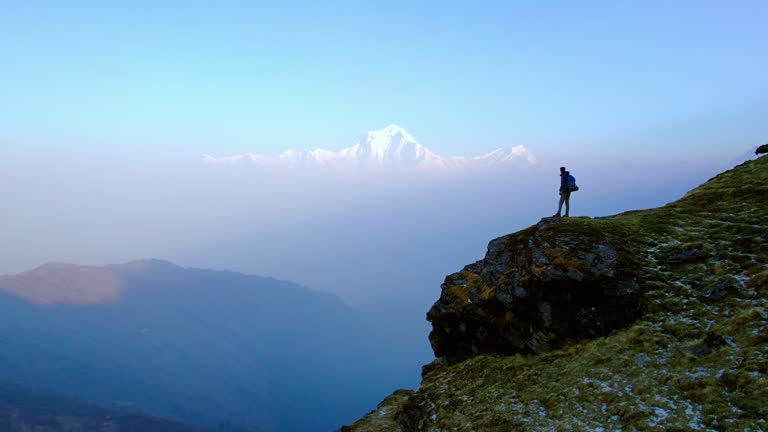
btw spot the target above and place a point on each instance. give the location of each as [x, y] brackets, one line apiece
[391, 146]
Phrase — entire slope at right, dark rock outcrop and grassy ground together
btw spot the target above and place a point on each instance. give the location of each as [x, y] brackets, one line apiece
[648, 320]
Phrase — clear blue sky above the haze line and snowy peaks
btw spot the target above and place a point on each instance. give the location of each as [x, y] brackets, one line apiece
[171, 78]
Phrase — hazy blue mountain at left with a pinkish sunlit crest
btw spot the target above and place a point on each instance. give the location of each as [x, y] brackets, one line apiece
[198, 346]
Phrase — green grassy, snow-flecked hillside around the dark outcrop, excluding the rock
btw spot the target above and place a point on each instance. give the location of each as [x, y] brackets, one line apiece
[696, 359]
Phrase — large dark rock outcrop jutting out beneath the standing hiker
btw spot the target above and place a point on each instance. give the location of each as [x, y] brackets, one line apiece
[536, 290]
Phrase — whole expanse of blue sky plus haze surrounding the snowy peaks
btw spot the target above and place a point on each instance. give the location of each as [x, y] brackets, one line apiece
[106, 110]
